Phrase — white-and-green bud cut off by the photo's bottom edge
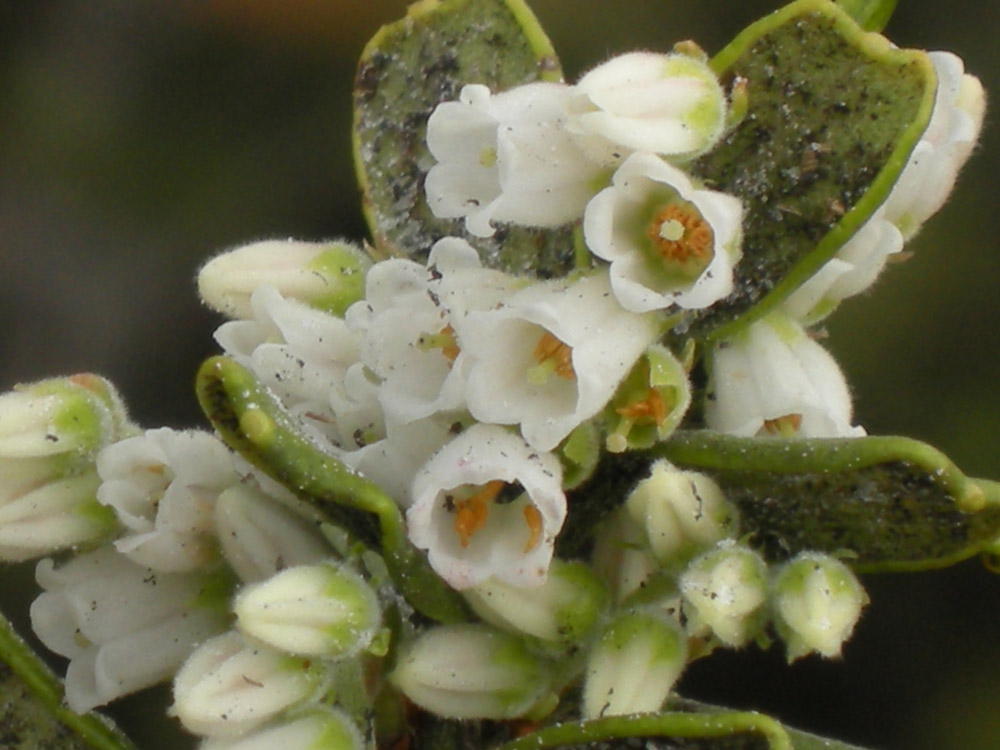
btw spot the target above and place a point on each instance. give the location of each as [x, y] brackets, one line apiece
[320, 728]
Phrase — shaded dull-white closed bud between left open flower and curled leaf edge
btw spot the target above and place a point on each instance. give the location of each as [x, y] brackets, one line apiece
[260, 537]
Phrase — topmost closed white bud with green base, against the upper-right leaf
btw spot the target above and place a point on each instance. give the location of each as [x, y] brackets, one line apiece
[670, 105]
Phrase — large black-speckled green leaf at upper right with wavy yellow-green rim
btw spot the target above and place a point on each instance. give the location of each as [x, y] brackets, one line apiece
[834, 113]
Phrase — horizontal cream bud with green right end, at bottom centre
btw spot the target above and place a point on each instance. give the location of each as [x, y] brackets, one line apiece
[472, 672]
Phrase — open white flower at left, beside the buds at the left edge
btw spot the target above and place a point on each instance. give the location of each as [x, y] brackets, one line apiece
[163, 486]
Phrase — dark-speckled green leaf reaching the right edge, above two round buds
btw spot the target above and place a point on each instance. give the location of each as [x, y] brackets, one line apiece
[889, 503]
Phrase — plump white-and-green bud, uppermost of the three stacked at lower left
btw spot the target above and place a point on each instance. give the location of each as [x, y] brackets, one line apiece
[313, 610]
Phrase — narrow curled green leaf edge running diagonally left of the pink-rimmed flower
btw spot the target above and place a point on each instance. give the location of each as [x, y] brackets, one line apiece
[254, 424]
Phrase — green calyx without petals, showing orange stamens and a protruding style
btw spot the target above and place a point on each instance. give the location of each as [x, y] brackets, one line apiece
[650, 403]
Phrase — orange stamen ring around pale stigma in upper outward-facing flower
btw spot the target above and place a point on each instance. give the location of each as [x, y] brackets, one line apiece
[681, 239]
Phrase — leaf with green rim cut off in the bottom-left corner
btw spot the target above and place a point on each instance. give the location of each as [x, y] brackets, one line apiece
[33, 715]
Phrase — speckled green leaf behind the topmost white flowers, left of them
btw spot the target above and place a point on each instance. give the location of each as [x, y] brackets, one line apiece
[406, 70]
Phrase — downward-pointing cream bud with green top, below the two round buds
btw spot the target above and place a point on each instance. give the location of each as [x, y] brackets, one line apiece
[634, 665]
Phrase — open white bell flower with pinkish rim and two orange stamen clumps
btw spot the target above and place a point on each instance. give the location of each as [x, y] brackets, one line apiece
[485, 505]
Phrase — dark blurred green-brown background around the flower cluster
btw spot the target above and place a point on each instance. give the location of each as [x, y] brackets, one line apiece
[136, 139]
